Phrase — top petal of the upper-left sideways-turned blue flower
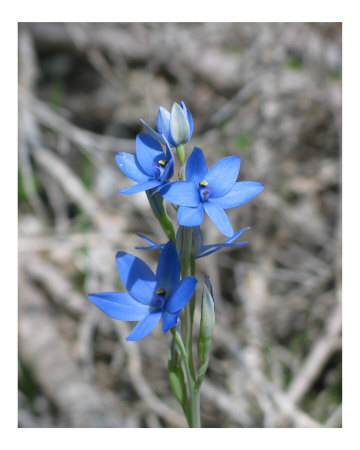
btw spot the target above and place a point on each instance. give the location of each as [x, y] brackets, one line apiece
[148, 151]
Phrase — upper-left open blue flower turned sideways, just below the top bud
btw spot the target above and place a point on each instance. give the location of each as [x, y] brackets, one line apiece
[150, 167]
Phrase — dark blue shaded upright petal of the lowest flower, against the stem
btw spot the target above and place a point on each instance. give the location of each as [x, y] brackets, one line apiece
[168, 269]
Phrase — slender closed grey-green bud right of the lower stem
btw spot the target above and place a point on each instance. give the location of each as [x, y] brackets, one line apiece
[207, 322]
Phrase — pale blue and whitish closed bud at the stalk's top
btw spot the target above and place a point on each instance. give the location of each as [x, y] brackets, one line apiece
[176, 126]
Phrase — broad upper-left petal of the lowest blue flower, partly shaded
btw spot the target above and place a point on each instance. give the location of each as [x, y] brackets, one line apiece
[136, 276]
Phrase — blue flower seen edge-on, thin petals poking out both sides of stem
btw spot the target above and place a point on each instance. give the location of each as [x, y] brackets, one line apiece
[201, 249]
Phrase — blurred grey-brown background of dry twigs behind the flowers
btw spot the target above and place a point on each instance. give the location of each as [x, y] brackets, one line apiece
[268, 92]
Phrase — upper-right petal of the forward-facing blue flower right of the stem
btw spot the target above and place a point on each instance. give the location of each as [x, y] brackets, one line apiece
[222, 175]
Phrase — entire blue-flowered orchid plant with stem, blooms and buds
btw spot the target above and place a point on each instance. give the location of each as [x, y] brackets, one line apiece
[169, 293]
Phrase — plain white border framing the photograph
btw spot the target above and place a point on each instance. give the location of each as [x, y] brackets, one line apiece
[277, 11]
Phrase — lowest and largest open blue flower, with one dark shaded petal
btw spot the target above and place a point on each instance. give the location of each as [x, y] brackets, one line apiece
[150, 297]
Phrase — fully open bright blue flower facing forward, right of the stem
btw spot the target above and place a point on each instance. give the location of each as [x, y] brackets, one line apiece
[214, 190]
